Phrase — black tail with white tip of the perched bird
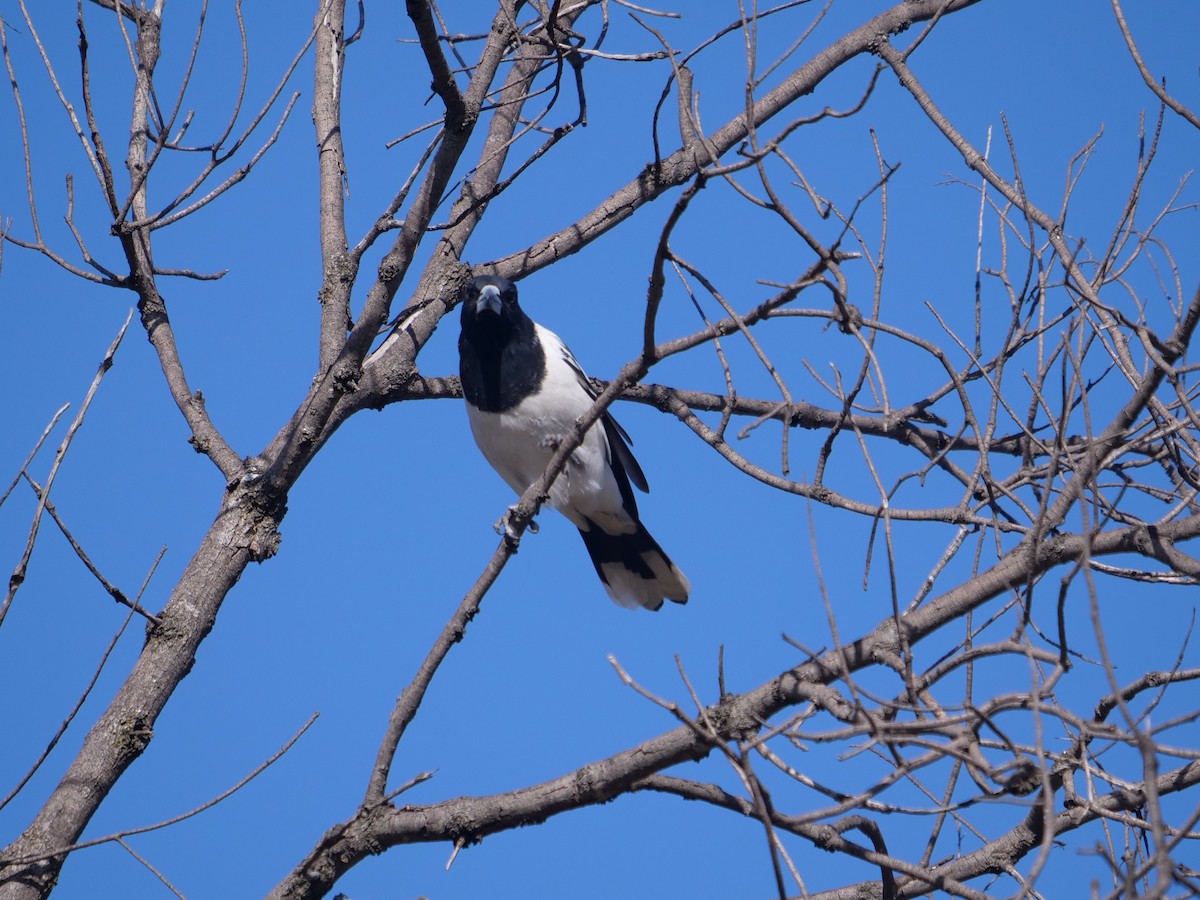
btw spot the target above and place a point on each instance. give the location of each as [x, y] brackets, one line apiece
[634, 569]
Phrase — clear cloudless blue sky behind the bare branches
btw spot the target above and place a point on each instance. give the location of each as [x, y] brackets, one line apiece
[393, 523]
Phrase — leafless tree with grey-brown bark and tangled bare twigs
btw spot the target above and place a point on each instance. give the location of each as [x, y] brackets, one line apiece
[1041, 436]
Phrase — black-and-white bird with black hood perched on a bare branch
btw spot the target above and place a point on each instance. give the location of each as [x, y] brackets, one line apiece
[525, 392]
